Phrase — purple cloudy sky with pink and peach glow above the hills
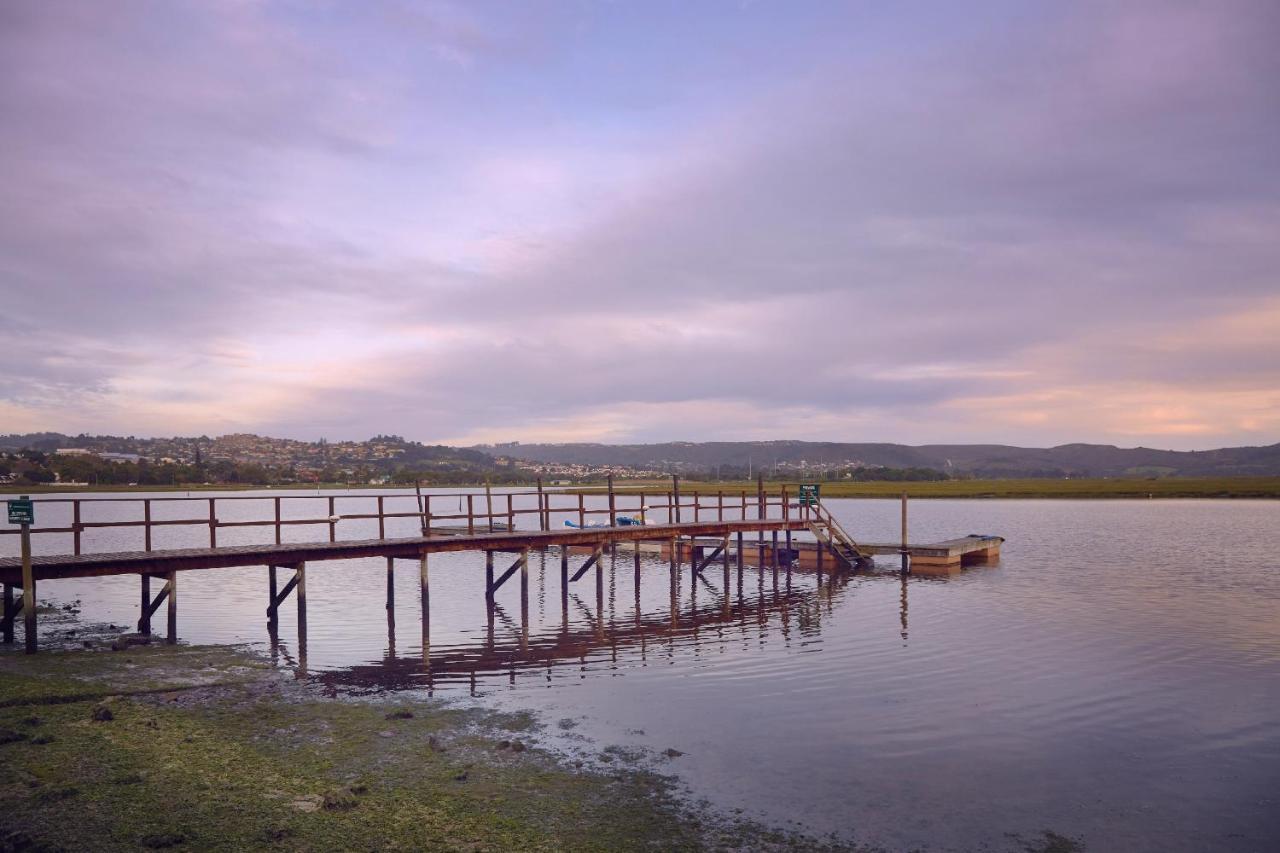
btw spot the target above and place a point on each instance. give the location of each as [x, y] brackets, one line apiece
[1028, 223]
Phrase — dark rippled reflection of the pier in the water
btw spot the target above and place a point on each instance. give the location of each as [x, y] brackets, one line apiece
[618, 621]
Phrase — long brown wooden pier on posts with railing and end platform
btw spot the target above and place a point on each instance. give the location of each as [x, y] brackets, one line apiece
[700, 530]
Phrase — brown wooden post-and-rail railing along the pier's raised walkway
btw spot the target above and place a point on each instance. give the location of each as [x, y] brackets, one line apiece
[437, 513]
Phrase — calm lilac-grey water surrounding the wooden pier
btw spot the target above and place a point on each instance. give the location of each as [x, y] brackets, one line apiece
[1117, 677]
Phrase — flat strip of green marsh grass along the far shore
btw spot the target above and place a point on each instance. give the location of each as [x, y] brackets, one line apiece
[1136, 489]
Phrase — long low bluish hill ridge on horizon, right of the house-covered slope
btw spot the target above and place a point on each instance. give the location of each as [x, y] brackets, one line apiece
[968, 460]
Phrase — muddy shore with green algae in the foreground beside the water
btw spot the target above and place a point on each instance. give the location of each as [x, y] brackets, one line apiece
[157, 747]
